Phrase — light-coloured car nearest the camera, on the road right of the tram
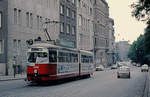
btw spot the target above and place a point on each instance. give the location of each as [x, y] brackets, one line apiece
[123, 71]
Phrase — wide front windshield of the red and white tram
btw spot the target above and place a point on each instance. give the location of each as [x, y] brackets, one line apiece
[37, 57]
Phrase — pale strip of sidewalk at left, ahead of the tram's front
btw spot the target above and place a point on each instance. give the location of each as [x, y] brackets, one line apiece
[17, 77]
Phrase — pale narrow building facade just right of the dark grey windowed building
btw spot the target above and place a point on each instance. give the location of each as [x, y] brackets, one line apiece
[85, 25]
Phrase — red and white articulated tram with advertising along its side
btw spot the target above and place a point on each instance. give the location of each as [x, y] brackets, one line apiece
[50, 62]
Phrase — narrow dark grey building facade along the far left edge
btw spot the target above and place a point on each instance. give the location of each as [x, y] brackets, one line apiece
[3, 35]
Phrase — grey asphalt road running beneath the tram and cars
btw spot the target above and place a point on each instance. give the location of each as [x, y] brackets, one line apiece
[102, 84]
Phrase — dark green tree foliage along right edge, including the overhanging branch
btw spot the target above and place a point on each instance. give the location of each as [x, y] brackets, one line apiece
[140, 49]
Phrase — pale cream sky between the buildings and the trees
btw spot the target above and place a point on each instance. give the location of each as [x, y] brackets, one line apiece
[126, 26]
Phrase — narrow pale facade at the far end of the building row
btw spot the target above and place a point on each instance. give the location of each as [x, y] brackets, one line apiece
[111, 51]
